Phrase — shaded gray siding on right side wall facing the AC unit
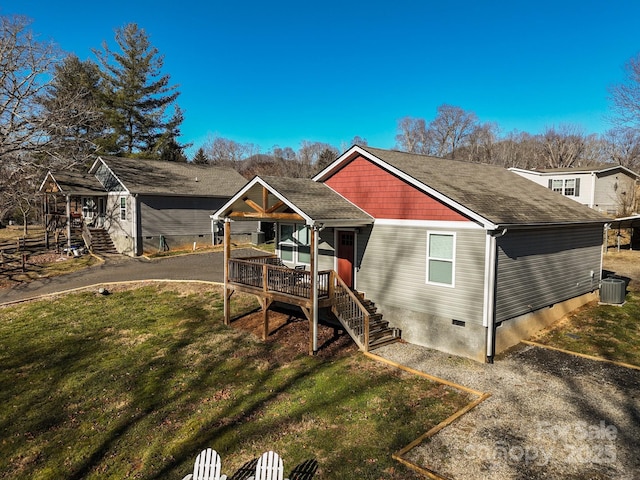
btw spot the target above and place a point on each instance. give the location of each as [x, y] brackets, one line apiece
[539, 268]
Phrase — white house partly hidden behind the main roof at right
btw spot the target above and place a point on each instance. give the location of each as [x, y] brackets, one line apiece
[609, 189]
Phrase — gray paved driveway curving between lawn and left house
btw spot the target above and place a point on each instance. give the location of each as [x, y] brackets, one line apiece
[120, 268]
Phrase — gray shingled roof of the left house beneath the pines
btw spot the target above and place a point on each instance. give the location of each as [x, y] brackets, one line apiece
[155, 177]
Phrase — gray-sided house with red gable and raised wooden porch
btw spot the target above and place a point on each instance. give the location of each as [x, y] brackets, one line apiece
[462, 257]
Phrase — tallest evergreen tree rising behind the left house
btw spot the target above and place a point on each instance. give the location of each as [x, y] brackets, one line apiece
[137, 98]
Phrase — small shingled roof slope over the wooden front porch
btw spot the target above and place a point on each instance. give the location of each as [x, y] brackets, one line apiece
[316, 200]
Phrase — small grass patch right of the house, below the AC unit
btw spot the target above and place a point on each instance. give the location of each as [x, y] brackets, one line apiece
[606, 331]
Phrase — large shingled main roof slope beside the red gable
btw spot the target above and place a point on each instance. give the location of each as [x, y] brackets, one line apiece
[492, 192]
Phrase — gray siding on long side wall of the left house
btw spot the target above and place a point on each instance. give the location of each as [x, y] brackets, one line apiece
[177, 215]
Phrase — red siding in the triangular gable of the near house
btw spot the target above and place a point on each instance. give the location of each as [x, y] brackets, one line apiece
[383, 195]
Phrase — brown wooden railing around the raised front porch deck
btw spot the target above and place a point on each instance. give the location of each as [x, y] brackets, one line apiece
[265, 273]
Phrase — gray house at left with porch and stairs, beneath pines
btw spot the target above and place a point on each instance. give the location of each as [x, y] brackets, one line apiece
[145, 205]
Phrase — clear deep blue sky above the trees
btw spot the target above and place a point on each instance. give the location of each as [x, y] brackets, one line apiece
[277, 73]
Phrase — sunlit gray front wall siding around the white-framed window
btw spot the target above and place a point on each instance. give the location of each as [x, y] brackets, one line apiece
[393, 272]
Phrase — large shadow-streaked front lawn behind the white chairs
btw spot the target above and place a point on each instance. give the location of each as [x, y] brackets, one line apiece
[134, 384]
